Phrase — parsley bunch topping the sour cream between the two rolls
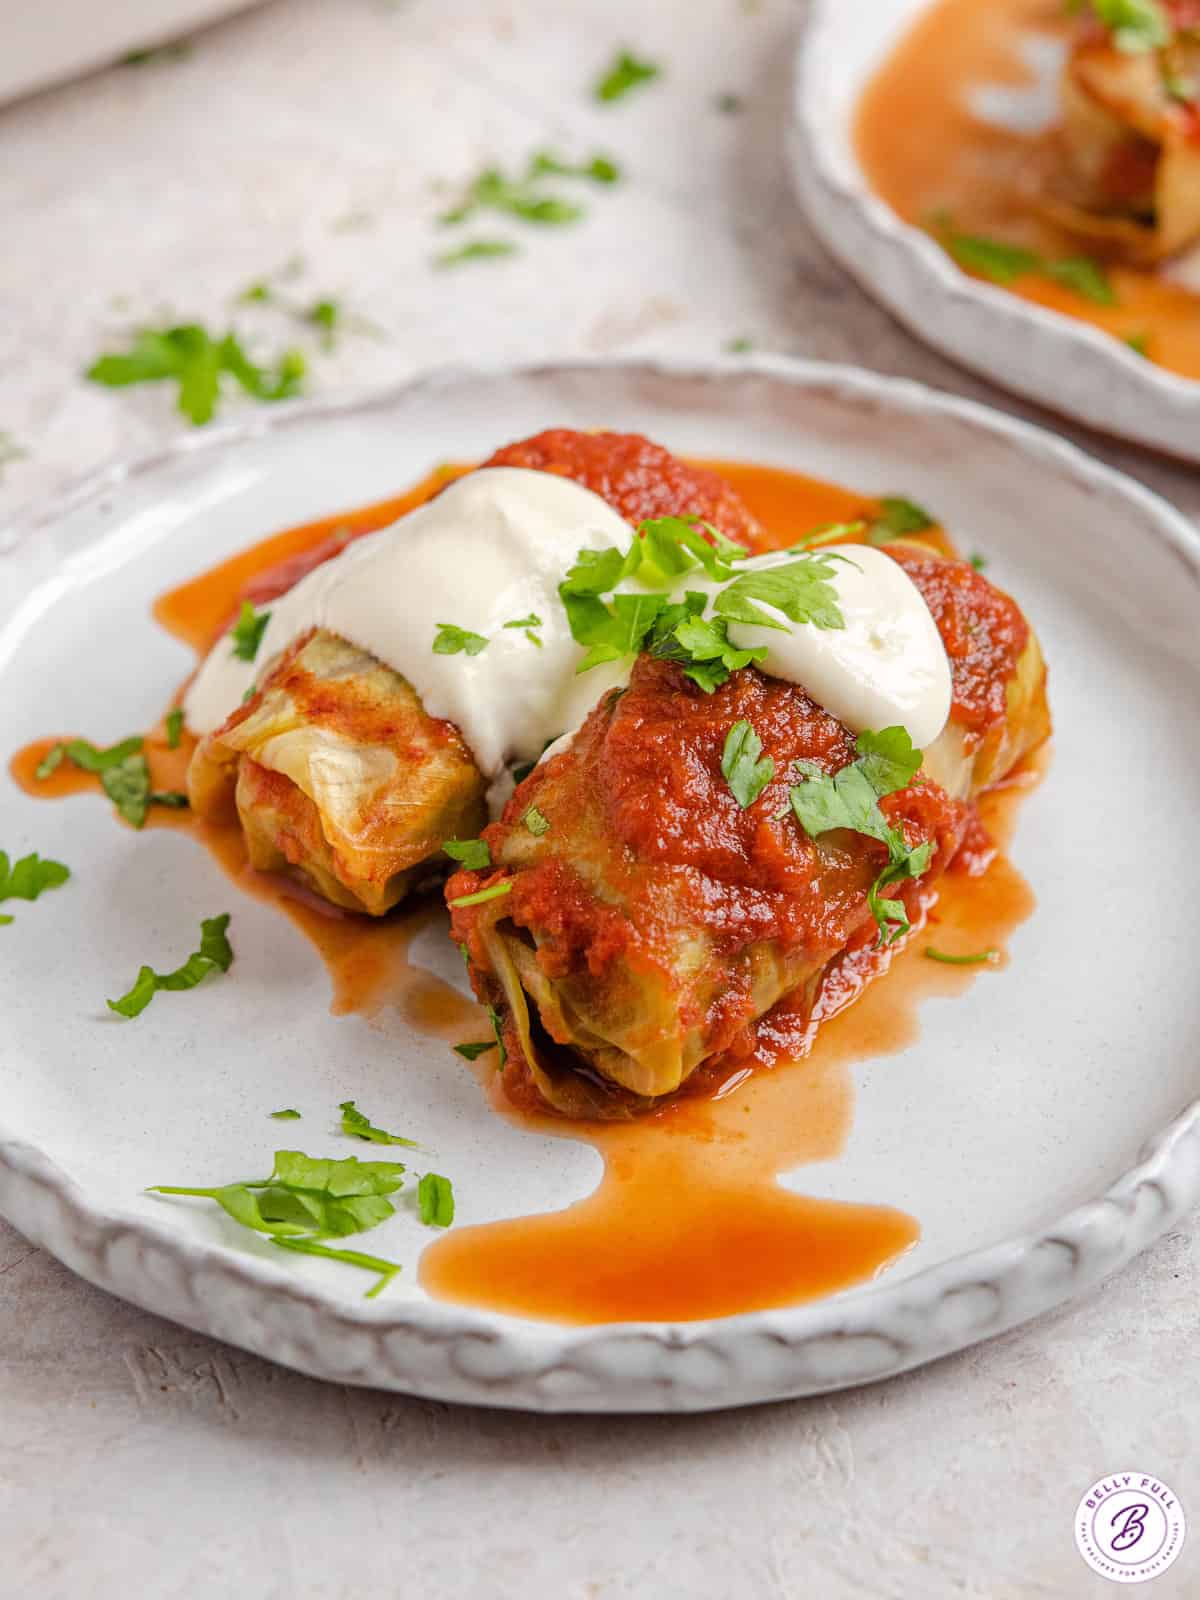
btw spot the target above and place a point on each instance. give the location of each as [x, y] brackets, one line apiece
[665, 551]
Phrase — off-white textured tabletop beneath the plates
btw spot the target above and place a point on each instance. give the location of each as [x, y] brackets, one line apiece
[138, 1460]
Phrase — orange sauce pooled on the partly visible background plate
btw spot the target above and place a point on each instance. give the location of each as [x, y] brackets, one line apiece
[926, 153]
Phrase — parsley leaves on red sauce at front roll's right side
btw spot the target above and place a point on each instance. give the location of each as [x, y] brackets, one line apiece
[849, 799]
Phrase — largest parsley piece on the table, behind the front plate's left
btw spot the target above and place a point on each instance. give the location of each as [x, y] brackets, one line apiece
[196, 361]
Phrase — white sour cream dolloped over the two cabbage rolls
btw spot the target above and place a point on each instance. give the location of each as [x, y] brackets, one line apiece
[494, 548]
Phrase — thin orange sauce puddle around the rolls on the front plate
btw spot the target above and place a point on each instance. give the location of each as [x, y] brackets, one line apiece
[689, 1220]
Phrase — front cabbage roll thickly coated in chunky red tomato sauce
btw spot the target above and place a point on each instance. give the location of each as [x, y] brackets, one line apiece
[638, 921]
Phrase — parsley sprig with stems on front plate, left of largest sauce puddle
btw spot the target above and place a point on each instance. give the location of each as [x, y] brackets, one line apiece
[308, 1201]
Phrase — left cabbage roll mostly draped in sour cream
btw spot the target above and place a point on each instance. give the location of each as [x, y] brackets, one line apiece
[334, 767]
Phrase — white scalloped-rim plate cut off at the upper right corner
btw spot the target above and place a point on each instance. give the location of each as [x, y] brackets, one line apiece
[1052, 359]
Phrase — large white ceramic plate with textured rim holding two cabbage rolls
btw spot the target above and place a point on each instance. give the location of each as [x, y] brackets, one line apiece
[1041, 1130]
